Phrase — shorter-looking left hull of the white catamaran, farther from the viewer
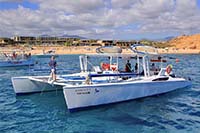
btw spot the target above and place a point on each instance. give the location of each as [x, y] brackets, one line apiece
[24, 85]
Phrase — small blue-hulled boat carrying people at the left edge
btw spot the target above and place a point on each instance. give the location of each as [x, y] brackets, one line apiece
[15, 58]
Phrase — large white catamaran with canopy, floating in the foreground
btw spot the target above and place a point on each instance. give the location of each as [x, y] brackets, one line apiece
[109, 83]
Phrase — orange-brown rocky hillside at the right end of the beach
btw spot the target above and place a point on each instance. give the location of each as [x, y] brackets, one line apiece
[186, 42]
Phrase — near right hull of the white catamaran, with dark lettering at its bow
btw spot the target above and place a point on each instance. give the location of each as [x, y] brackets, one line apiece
[93, 95]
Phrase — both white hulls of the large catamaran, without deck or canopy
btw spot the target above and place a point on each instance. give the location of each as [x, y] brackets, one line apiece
[77, 97]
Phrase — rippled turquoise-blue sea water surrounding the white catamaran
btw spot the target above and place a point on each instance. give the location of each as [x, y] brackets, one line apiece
[177, 111]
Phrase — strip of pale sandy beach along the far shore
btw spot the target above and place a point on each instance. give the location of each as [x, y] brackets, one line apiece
[60, 50]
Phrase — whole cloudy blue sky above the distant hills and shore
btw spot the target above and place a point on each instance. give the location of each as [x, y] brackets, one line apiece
[100, 19]
